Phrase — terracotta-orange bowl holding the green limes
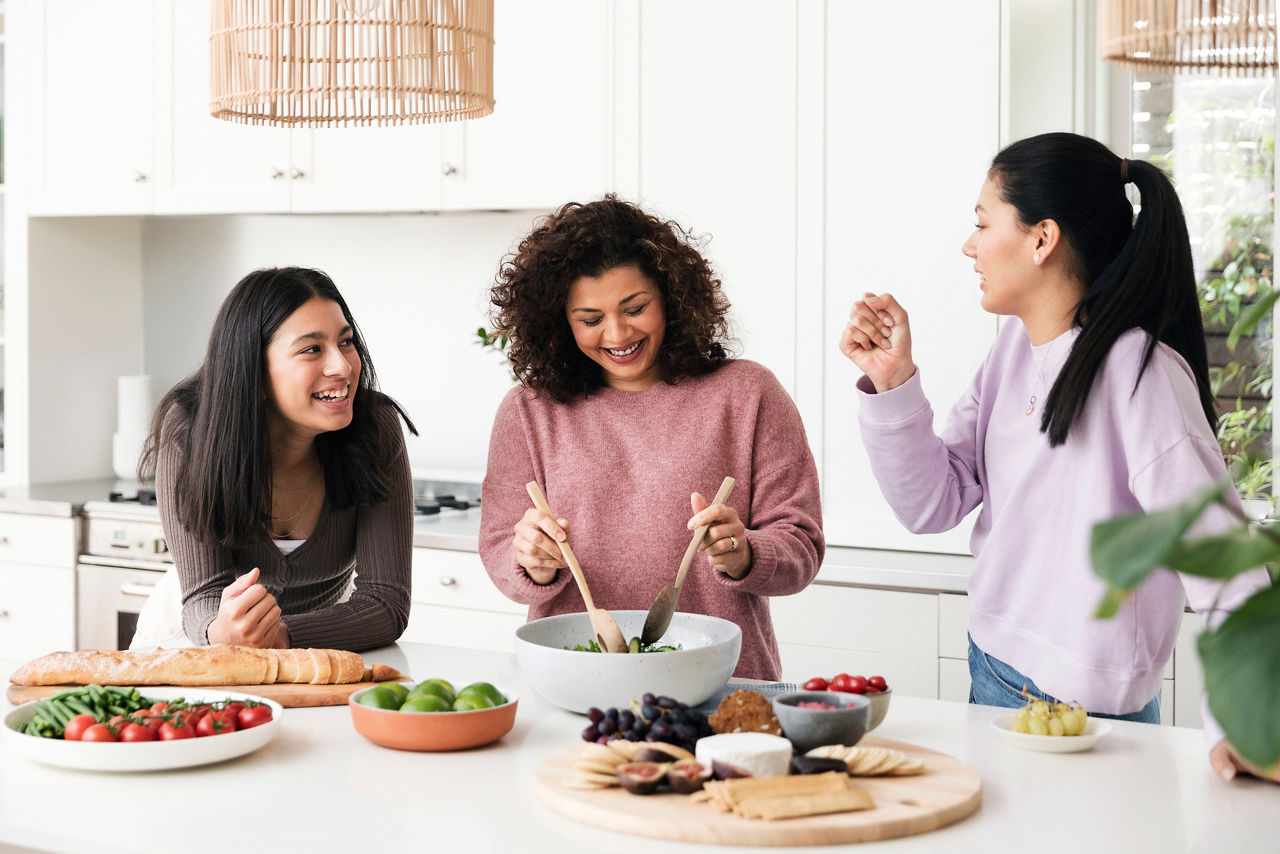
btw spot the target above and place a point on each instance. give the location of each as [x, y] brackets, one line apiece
[433, 730]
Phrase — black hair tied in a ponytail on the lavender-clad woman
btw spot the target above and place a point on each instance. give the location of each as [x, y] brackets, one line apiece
[1139, 275]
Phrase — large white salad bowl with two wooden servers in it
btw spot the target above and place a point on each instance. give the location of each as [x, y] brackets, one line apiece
[580, 681]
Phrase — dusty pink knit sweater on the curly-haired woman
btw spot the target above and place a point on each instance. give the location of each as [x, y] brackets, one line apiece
[621, 467]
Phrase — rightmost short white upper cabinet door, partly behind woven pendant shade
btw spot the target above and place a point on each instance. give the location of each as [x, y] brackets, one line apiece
[548, 139]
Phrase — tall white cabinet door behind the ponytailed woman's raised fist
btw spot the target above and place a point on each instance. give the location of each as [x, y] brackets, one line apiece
[903, 176]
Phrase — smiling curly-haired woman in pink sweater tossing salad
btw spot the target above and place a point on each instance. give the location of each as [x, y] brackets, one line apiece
[629, 409]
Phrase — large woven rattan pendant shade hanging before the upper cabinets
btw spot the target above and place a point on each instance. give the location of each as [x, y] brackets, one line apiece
[328, 63]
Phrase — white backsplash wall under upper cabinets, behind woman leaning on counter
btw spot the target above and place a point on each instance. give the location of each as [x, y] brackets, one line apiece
[417, 285]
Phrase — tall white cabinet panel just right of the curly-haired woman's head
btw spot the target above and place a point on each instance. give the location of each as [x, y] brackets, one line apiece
[717, 150]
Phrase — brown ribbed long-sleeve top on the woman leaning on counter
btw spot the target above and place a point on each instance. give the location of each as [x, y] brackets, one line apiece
[374, 542]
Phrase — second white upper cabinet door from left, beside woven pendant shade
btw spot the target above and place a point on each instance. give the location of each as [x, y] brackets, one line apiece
[213, 167]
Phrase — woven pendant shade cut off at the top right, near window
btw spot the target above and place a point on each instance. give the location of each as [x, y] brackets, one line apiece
[1232, 36]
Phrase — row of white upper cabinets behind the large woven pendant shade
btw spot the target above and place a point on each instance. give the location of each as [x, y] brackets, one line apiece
[122, 126]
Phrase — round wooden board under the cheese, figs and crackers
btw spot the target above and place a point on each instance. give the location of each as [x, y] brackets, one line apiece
[948, 792]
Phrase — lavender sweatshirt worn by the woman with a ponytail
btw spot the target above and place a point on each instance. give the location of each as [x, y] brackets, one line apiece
[1034, 592]
